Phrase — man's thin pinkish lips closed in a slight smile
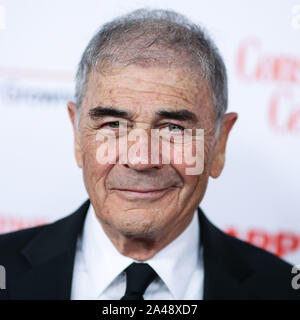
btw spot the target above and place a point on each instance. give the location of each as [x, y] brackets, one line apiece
[152, 194]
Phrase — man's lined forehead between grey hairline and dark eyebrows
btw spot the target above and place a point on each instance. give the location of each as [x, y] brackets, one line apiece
[136, 85]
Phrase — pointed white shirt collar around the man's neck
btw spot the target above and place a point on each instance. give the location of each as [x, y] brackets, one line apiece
[104, 262]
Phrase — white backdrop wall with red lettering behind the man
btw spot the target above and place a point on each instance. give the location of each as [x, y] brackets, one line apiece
[257, 196]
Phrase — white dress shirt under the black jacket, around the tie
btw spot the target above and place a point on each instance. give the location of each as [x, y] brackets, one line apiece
[99, 267]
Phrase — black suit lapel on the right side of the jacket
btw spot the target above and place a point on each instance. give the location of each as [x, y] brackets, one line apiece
[225, 271]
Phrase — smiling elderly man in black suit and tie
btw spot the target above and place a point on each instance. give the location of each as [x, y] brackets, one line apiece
[141, 234]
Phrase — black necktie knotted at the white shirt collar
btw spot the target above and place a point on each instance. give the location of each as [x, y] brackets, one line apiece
[138, 278]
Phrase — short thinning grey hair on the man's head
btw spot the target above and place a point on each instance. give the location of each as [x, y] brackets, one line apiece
[155, 37]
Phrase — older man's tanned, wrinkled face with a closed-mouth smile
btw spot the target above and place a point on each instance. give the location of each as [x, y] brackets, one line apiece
[139, 199]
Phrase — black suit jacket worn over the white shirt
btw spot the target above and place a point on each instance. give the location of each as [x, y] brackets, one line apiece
[39, 263]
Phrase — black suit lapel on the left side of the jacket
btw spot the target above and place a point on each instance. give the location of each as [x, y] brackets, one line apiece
[48, 270]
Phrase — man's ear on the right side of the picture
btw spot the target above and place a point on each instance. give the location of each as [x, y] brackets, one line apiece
[218, 159]
